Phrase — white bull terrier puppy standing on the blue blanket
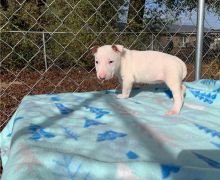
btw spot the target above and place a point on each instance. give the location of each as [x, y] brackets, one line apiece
[132, 66]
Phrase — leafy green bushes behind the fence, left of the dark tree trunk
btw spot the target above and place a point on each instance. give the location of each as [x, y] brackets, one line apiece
[82, 23]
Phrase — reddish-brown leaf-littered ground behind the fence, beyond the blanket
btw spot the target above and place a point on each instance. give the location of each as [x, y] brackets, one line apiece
[15, 86]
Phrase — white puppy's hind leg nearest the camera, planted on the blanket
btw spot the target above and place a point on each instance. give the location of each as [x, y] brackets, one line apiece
[178, 93]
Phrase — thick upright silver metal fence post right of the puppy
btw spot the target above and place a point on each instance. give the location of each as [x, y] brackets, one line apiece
[199, 38]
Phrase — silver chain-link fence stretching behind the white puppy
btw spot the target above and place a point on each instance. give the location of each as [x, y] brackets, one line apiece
[45, 43]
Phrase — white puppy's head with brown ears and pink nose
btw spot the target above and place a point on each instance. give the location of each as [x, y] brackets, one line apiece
[107, 60]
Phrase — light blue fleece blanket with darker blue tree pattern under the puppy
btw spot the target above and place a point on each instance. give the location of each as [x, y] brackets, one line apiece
[94, 135]
